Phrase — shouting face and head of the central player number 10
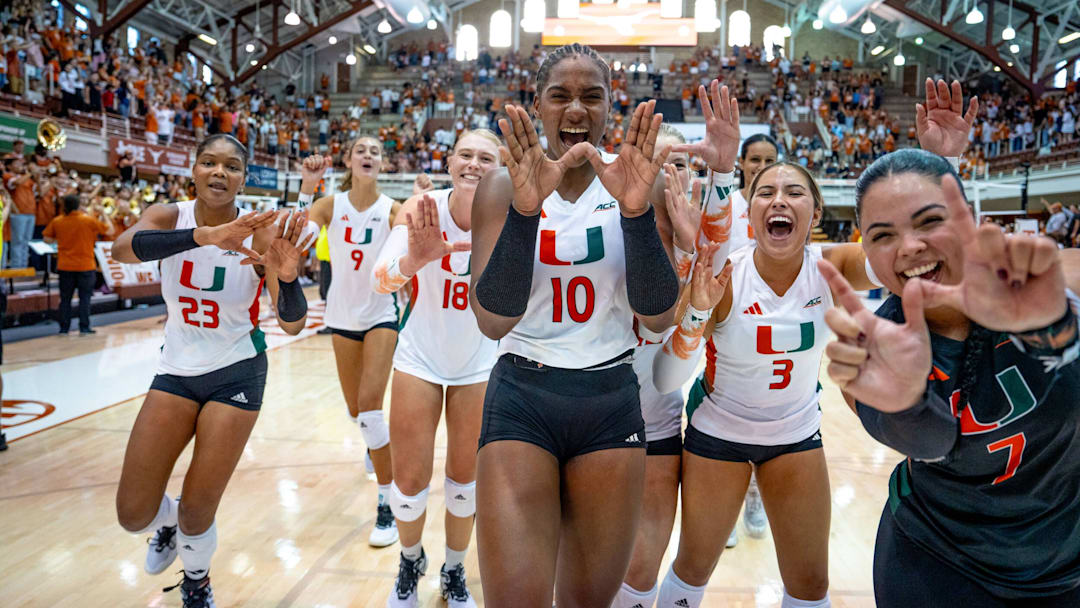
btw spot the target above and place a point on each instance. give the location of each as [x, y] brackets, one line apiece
[574, 104]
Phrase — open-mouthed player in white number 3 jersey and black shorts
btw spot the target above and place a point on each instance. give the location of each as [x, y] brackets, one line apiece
[766, 336]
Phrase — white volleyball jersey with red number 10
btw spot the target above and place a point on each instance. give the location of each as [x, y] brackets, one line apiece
[578, 314]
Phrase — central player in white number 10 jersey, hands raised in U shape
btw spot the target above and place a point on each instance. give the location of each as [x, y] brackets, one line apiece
[566, 255]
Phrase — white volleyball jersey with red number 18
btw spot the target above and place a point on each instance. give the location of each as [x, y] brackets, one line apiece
[441, 342]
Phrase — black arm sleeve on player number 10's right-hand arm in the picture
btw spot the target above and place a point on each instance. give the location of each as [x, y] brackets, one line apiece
[652, 283]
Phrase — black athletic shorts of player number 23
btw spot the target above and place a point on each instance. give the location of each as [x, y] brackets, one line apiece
[240, 385]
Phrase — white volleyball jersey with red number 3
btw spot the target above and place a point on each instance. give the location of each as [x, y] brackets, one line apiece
[762, 362]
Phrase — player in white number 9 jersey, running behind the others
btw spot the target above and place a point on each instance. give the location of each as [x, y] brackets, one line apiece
[363, 323]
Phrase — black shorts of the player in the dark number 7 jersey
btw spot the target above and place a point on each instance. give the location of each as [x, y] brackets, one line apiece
[907, 575]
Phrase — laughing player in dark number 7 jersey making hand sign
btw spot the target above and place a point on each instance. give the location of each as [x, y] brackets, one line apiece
[967, 377]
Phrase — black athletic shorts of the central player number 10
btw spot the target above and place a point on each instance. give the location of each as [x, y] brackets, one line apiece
[566, 412]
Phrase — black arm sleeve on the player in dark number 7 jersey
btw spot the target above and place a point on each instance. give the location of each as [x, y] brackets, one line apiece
[926, 431]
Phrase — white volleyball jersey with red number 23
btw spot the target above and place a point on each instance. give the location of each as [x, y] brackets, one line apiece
[213, 305]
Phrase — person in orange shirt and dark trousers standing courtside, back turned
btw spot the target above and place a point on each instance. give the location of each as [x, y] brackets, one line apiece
[75, 235]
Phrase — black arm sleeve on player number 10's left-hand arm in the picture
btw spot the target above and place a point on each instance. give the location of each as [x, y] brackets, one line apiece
[507, 282]
